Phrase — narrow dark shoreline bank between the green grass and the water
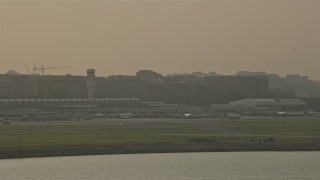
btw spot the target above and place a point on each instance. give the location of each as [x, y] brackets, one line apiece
[159, 148]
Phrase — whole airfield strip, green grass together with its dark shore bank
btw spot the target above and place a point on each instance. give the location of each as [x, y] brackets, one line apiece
[118, 136]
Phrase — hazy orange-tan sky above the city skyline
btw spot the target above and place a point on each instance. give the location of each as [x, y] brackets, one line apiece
[122, 37]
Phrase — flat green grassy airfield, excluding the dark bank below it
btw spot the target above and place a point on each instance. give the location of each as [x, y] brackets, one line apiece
[22, 136]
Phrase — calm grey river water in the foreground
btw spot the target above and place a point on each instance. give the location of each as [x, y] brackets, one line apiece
[175, 166]
